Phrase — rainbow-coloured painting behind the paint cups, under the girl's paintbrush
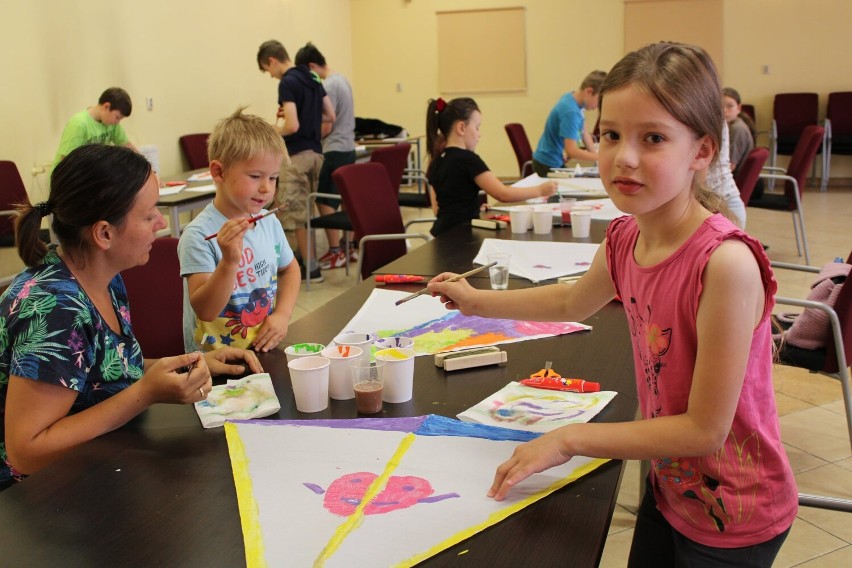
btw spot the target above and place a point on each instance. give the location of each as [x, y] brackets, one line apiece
[436, 329]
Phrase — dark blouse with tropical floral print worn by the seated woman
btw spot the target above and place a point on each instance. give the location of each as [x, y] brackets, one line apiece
[51, 331]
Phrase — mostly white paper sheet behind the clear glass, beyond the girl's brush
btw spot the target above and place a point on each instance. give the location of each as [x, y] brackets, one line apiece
[540, 260]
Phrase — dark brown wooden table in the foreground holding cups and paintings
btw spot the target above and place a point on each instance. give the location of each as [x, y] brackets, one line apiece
[160, 492]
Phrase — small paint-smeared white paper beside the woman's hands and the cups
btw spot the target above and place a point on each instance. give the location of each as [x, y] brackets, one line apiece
[240, 399]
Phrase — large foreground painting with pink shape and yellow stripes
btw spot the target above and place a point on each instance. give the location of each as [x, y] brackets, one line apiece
[359, 486]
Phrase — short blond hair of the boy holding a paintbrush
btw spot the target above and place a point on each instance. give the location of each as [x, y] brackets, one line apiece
[241, 137]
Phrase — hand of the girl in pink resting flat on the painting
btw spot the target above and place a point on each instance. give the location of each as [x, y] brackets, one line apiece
[529, 458]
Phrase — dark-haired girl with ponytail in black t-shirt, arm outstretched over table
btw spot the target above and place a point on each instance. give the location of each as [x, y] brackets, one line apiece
[456, 174]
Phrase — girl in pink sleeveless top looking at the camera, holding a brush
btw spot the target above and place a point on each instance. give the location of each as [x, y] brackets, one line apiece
[698, 293]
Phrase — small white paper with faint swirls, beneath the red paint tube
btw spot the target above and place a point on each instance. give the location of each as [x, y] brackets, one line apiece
[536, 410]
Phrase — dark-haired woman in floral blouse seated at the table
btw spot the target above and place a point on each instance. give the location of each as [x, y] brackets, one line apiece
[70, 367]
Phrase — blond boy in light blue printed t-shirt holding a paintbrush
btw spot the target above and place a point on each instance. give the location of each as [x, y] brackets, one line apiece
[240, 287]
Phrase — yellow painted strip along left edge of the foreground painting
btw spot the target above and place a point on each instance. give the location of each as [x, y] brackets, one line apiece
[250, 519]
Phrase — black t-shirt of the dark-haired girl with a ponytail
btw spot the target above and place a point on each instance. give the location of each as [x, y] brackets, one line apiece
[452, 175]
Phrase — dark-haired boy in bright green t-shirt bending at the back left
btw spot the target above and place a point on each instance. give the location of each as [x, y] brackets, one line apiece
[98, 124]
